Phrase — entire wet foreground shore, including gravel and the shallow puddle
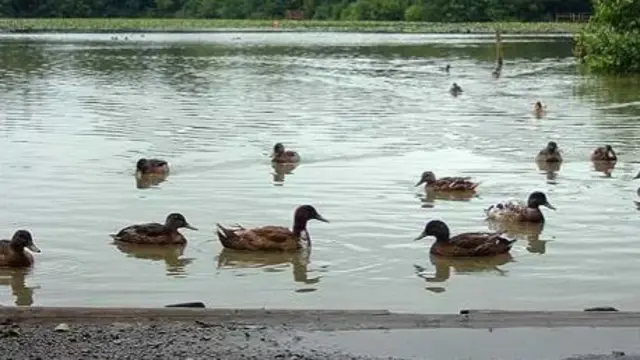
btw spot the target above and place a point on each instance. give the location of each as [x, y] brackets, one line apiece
[176, 333]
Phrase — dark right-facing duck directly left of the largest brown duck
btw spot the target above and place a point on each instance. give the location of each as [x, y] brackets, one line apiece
[155, 233]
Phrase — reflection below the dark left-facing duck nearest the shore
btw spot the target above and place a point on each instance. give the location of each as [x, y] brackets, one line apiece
[461, 266]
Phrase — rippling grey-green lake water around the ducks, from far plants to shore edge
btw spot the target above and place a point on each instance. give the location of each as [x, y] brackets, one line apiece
[368, 113]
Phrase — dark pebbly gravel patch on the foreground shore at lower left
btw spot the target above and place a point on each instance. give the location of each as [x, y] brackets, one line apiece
[161, 340]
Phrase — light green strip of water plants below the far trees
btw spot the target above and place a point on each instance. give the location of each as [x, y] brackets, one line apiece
[156, 24]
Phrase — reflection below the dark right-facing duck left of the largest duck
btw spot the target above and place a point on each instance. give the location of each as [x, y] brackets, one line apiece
[170, 254]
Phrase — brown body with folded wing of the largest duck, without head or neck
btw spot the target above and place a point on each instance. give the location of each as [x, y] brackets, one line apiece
[266, 238]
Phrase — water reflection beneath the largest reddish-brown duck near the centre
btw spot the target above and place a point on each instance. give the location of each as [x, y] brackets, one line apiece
[269, 262]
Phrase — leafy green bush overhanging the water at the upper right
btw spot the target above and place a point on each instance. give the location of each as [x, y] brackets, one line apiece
[611, 41]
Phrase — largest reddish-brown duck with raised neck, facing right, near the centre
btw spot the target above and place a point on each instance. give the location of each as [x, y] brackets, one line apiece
[271, 238]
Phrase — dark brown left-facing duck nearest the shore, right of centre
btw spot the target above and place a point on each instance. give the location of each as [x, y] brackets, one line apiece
[471, 244]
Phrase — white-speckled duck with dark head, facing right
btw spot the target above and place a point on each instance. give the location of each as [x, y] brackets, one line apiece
[516, 211]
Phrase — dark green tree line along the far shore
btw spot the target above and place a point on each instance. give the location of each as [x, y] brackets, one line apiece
[410, 10]
